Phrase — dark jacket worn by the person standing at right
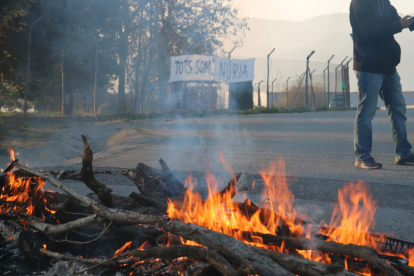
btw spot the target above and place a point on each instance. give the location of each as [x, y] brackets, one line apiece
[374, 23]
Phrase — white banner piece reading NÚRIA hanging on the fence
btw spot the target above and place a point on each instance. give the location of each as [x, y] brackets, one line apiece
[234, 70]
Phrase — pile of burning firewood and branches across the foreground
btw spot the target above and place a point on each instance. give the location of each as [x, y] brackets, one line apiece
[97, 234]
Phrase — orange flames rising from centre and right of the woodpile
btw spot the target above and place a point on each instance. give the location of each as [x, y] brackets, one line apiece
[351, 221]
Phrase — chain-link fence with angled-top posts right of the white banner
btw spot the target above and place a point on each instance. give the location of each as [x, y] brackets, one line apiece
[288, 83]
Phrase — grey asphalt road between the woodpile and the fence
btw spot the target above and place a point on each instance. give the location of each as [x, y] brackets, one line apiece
[317, 148]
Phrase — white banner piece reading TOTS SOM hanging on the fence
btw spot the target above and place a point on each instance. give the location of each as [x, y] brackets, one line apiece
[192, 67]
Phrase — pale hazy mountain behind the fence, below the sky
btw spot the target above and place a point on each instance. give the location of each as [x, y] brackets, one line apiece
[327, 35]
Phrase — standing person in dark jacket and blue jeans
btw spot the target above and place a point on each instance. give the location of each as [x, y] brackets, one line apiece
[376, 56]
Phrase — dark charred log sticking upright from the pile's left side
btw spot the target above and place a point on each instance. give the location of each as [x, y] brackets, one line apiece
[103, 193]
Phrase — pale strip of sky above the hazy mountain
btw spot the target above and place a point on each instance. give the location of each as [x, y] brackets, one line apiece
[298, 10]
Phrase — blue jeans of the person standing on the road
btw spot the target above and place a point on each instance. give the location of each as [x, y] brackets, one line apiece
[388, 87]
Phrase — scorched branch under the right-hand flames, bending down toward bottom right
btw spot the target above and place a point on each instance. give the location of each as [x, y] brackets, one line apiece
[361, 252]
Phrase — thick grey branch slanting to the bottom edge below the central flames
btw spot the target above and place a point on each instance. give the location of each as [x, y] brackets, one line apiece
[236, 252]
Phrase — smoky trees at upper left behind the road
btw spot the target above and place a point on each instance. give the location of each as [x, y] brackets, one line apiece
[132, 42]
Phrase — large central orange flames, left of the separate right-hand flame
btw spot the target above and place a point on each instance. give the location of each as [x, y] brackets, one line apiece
[220, 213]
